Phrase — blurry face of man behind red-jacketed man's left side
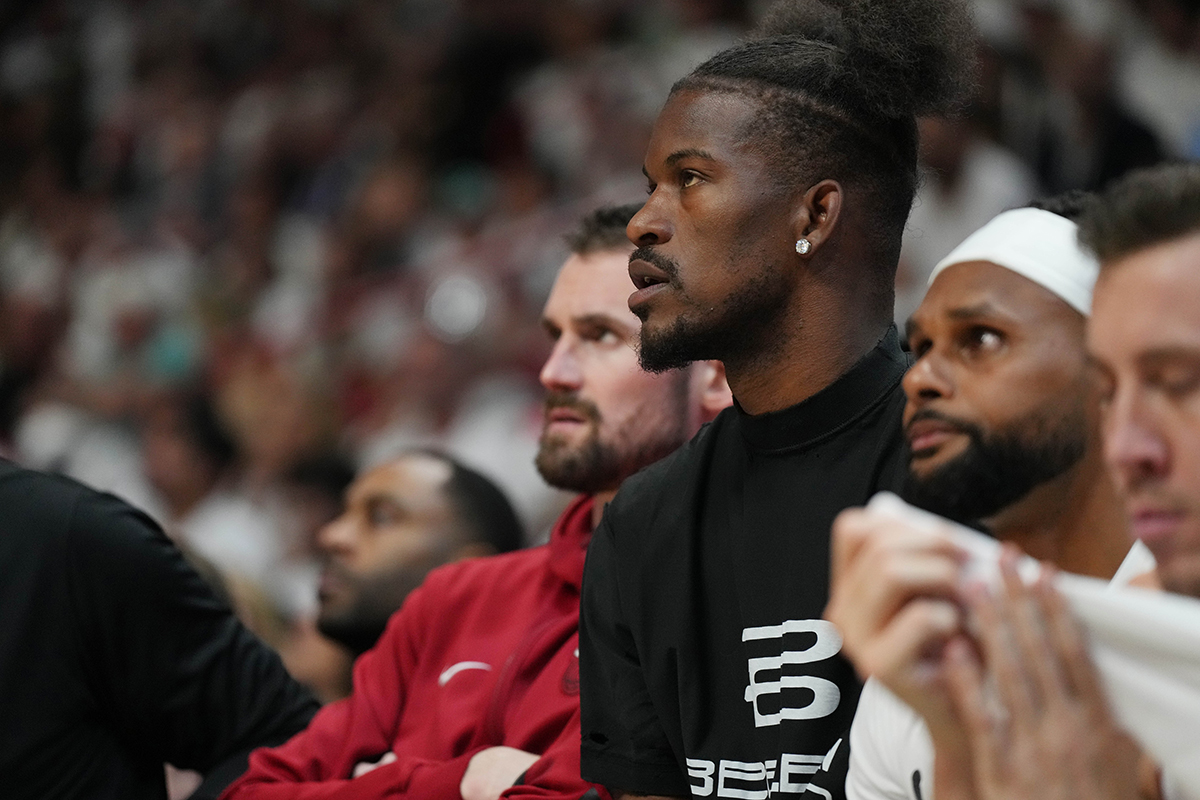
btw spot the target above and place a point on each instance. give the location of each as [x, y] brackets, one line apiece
[398, 526]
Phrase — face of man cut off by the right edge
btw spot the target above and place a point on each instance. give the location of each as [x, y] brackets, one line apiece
[1145, 338]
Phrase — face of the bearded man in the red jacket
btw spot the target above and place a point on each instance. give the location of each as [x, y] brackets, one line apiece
[605, 417]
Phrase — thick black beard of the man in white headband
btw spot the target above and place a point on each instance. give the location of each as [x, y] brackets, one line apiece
[998, 470]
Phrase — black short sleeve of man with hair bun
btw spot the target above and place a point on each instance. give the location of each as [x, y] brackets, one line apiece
[623, 743]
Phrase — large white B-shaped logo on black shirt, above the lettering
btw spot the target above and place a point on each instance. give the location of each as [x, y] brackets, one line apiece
[778, 690]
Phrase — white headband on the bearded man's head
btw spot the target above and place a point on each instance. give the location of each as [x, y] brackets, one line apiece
[1037, 245]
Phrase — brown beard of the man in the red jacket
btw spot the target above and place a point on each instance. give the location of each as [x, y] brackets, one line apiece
[601, 466]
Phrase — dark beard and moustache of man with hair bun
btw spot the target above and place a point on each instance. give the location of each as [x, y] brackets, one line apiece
[733, 333]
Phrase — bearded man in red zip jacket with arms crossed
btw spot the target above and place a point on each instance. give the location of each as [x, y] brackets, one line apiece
[473, 690]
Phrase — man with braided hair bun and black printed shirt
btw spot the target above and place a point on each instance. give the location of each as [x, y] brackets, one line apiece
[781, 175]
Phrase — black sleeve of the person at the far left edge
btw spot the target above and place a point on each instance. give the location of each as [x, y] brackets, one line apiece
[177, 675]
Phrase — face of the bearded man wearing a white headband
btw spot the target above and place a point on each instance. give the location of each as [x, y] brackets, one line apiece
[998, 399]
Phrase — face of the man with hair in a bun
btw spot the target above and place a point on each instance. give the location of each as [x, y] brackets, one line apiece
[716, 237]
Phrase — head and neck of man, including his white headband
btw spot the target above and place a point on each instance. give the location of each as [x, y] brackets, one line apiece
[1000, 407]
